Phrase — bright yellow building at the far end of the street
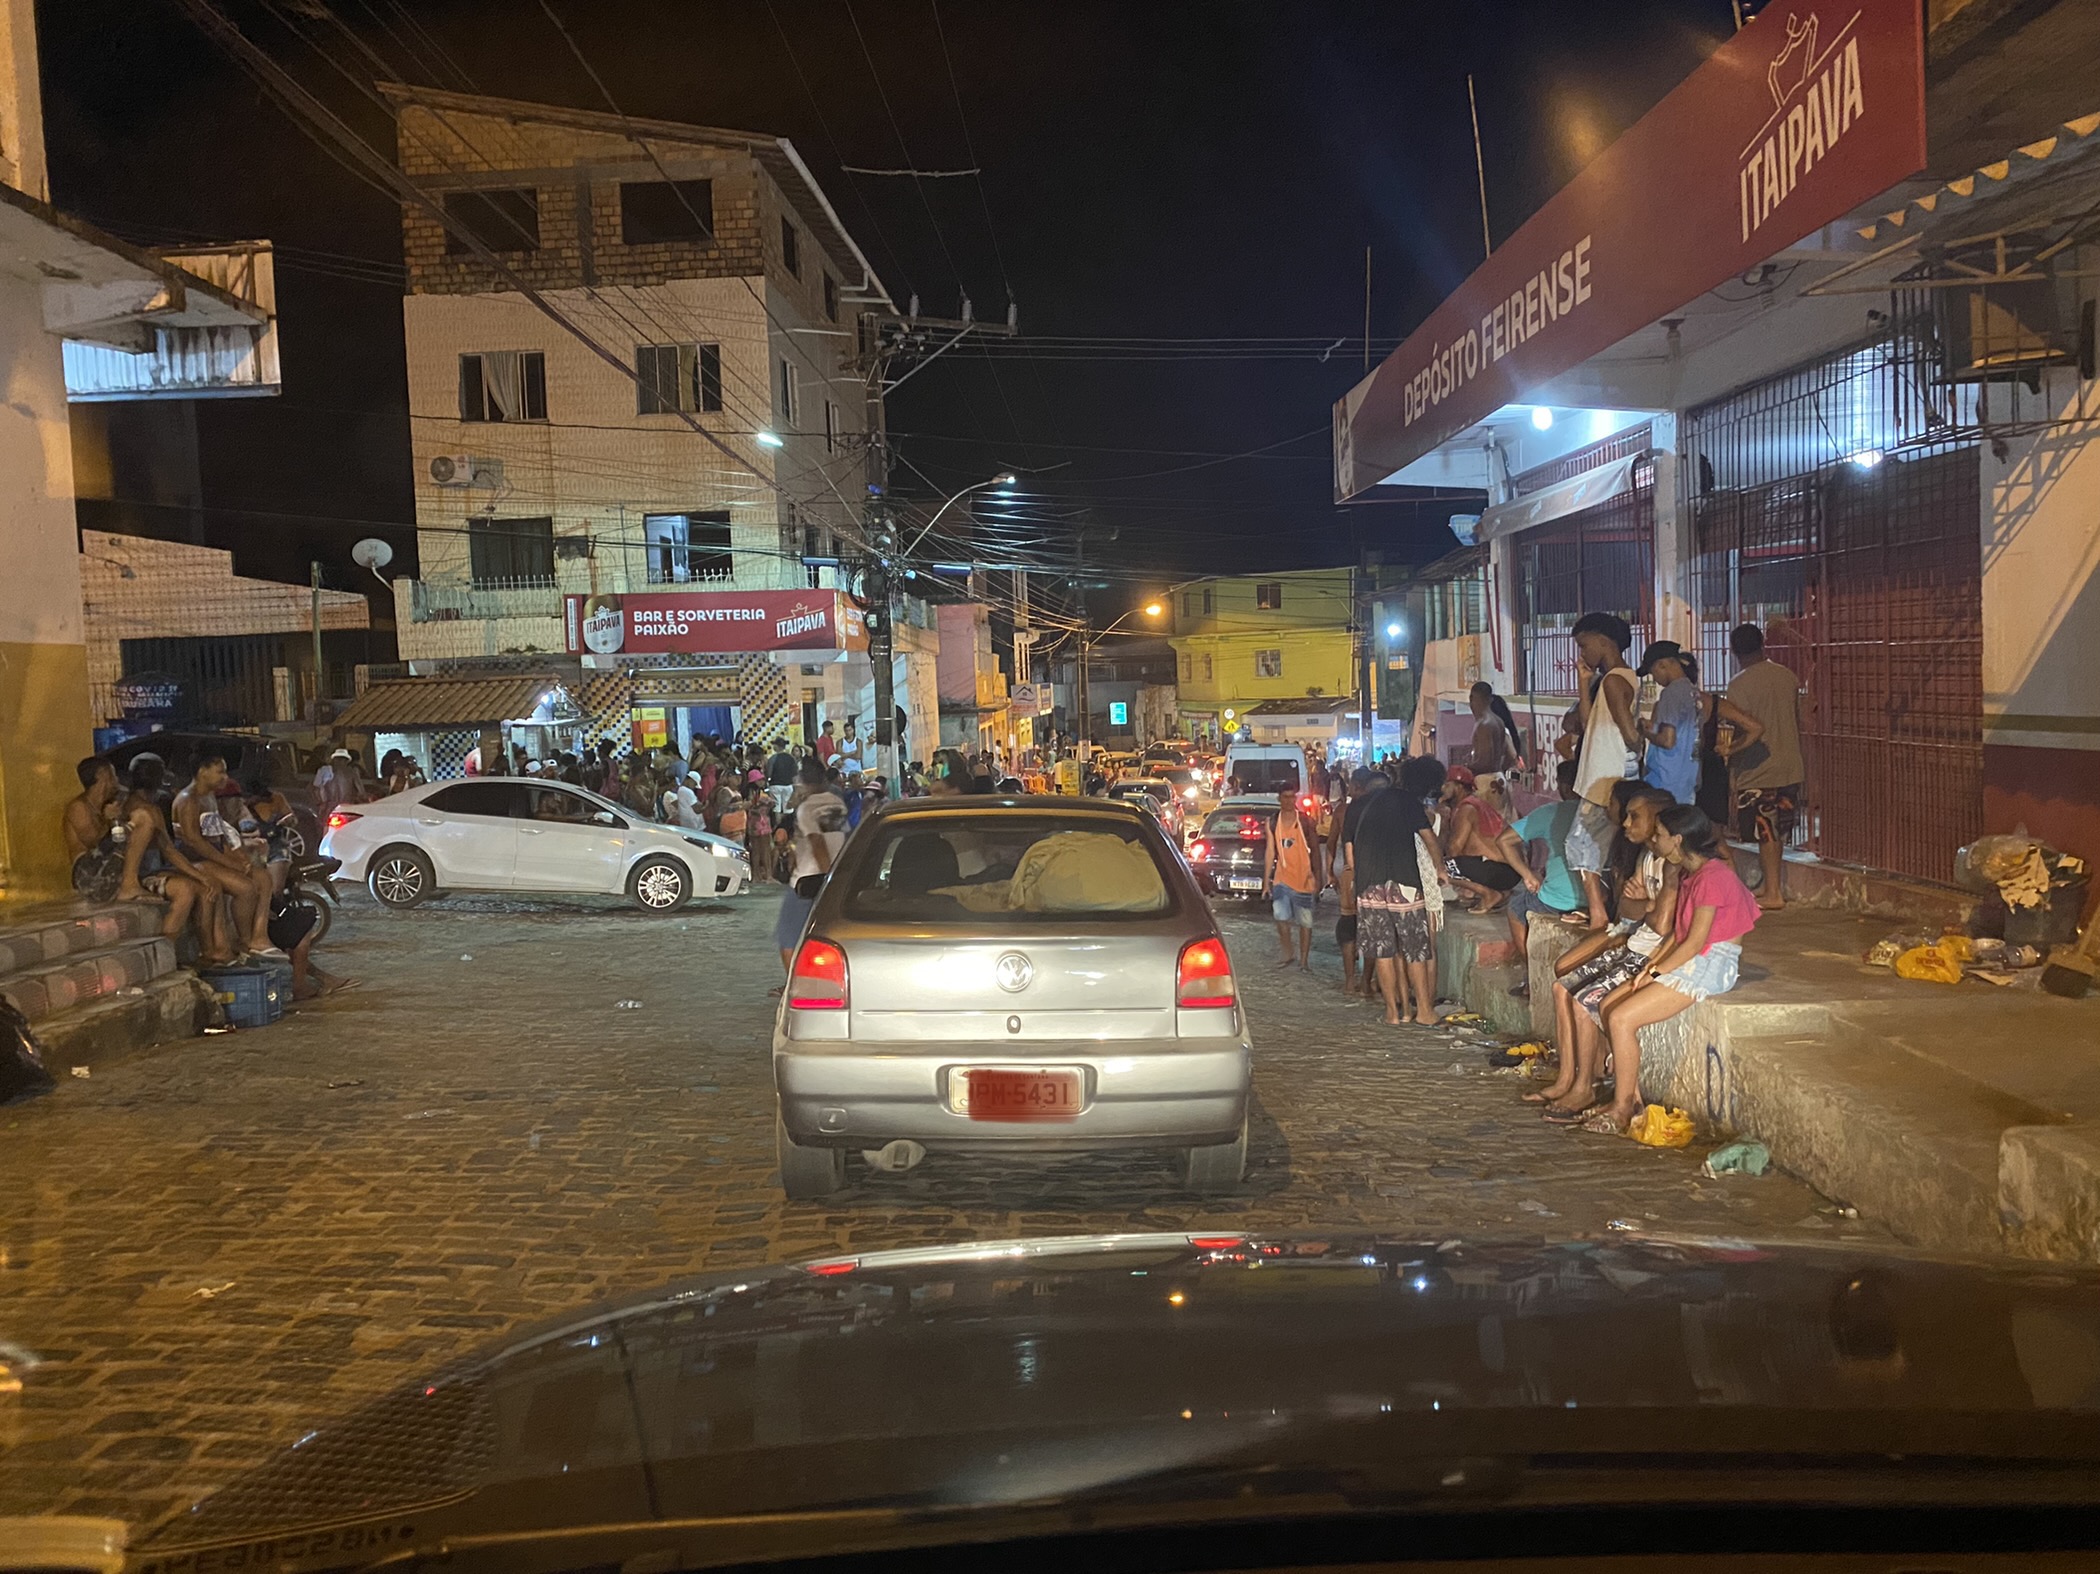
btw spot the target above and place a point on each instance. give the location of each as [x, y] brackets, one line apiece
[1255, 639]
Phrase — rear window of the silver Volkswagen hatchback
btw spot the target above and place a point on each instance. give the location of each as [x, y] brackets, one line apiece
[971, 870]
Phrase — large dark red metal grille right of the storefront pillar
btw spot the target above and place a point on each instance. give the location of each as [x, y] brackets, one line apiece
[1839, 511]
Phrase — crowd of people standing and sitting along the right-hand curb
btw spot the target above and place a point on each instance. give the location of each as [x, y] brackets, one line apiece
[1633, 853]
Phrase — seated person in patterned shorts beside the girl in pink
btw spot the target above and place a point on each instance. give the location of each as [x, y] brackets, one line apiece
[1601, 964]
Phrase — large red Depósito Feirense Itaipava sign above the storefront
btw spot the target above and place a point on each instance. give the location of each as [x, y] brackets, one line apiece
[1805, 114]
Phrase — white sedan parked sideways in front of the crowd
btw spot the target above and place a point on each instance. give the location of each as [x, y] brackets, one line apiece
[528, 836]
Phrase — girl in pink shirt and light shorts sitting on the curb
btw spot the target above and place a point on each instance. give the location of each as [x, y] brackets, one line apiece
[1706, 948]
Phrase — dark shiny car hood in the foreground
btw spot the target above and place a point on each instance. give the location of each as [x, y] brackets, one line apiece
[1076, 1367]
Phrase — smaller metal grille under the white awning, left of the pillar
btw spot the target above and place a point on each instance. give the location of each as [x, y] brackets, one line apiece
[1597, 561]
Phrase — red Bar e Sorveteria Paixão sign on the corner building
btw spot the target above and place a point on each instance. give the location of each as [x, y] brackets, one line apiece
[713, 620]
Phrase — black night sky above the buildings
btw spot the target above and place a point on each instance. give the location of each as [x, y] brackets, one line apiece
[1150, 173]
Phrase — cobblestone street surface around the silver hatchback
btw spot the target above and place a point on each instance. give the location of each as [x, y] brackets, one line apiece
[217, 1246]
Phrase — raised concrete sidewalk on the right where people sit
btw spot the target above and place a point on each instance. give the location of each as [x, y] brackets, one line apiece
[1962, 1118]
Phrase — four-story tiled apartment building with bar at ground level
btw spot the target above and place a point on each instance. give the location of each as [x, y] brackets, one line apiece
[677, 412]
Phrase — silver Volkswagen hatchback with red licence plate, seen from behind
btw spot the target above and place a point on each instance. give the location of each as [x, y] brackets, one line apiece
[1009, 975]
